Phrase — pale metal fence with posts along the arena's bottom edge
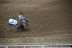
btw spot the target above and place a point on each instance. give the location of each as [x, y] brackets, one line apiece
[38, 46]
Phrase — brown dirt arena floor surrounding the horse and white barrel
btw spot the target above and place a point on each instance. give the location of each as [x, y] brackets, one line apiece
[49, 19]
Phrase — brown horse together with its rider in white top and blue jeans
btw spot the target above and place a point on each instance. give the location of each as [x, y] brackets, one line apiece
[23, 22]
